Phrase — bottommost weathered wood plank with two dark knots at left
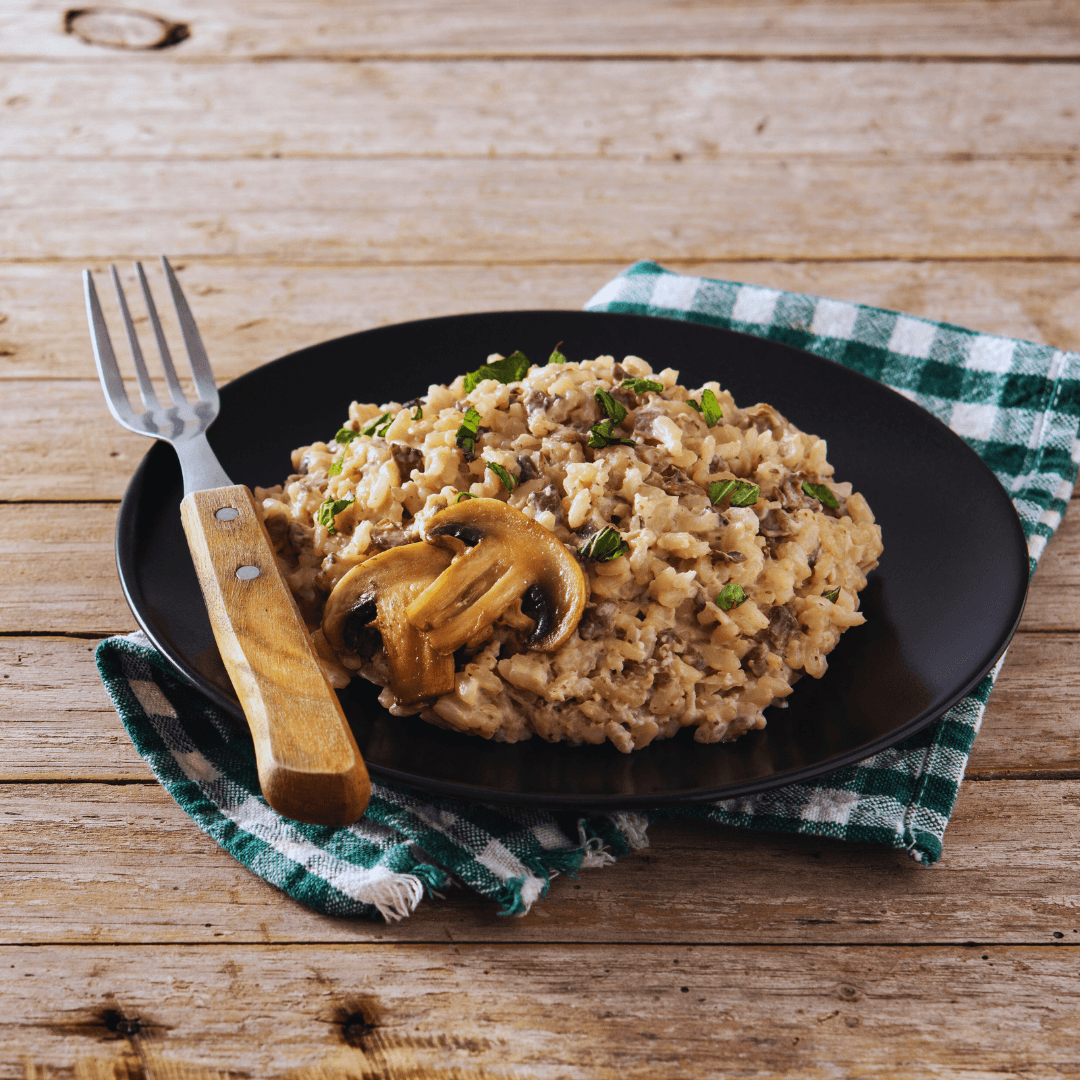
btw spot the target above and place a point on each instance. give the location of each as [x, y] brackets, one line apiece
[444, 1011]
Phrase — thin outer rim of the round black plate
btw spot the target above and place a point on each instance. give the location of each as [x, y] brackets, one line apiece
[126, 560]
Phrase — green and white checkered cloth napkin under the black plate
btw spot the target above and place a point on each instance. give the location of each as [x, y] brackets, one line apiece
[1016, 403]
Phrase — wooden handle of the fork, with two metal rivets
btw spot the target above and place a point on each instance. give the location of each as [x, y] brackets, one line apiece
[309, 766]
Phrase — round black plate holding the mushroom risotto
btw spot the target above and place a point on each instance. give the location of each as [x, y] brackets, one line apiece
[940, 610]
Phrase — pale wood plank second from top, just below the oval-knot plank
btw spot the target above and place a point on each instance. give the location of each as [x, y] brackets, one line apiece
[536, 110]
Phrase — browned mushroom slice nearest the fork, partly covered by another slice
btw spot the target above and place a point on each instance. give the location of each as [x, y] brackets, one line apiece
[379, 591]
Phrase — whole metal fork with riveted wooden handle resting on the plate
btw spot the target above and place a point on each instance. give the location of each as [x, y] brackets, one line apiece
[310, 768]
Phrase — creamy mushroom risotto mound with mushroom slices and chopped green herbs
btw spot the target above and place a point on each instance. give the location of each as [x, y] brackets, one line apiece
[669, 560]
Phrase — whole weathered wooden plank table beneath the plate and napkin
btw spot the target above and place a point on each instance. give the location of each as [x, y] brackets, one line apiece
[318, 168]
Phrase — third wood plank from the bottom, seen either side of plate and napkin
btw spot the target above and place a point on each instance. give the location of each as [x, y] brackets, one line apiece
[59, 725]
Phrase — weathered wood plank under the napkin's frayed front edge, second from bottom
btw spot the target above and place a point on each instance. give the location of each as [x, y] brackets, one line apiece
[86, 863]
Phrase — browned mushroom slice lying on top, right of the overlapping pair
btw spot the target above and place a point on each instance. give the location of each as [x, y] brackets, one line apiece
[503, 556]
